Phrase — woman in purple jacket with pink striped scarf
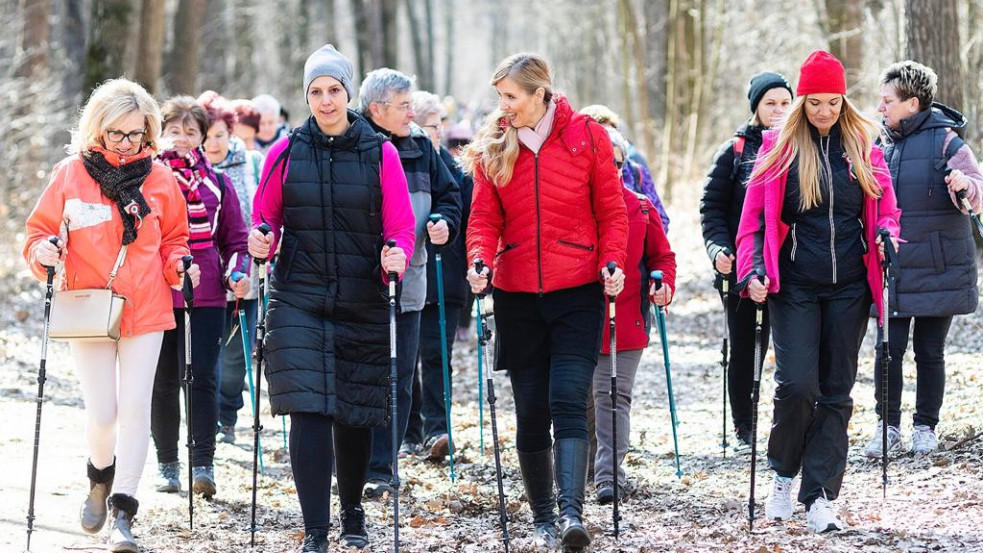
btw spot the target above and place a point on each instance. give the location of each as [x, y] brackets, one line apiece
[218, 244]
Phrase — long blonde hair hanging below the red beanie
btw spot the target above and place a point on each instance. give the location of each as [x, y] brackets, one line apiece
[794, 142]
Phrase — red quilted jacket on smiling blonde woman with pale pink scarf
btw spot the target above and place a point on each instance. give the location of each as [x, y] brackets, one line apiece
[560, 219]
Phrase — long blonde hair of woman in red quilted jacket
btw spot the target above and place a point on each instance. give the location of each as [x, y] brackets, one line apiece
[496, 144]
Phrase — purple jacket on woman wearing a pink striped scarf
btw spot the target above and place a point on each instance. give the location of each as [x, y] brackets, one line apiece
[229, 234]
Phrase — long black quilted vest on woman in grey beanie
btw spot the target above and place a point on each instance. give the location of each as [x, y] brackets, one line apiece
[328, 339]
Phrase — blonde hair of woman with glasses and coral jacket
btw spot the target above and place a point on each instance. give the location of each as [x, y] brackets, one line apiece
[109, 103]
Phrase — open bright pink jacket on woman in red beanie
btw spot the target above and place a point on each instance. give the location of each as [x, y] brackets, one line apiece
[761, 233]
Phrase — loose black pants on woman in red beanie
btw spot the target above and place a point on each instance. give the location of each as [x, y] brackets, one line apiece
[817, 331]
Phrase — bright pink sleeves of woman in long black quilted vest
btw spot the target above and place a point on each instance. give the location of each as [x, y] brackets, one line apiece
[398, 220]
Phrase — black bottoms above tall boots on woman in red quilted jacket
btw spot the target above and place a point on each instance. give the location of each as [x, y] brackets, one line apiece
[550, 345]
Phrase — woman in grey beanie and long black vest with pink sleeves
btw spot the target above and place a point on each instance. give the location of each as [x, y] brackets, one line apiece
[334, 192]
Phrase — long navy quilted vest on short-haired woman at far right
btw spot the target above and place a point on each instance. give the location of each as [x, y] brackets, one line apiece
[937, 254]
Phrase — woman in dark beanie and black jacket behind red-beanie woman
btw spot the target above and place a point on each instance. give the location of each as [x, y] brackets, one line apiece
[770, 96]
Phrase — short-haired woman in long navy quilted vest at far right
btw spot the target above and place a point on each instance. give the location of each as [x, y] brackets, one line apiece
[930, 164]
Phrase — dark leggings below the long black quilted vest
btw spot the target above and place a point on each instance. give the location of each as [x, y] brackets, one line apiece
[314, 441]
